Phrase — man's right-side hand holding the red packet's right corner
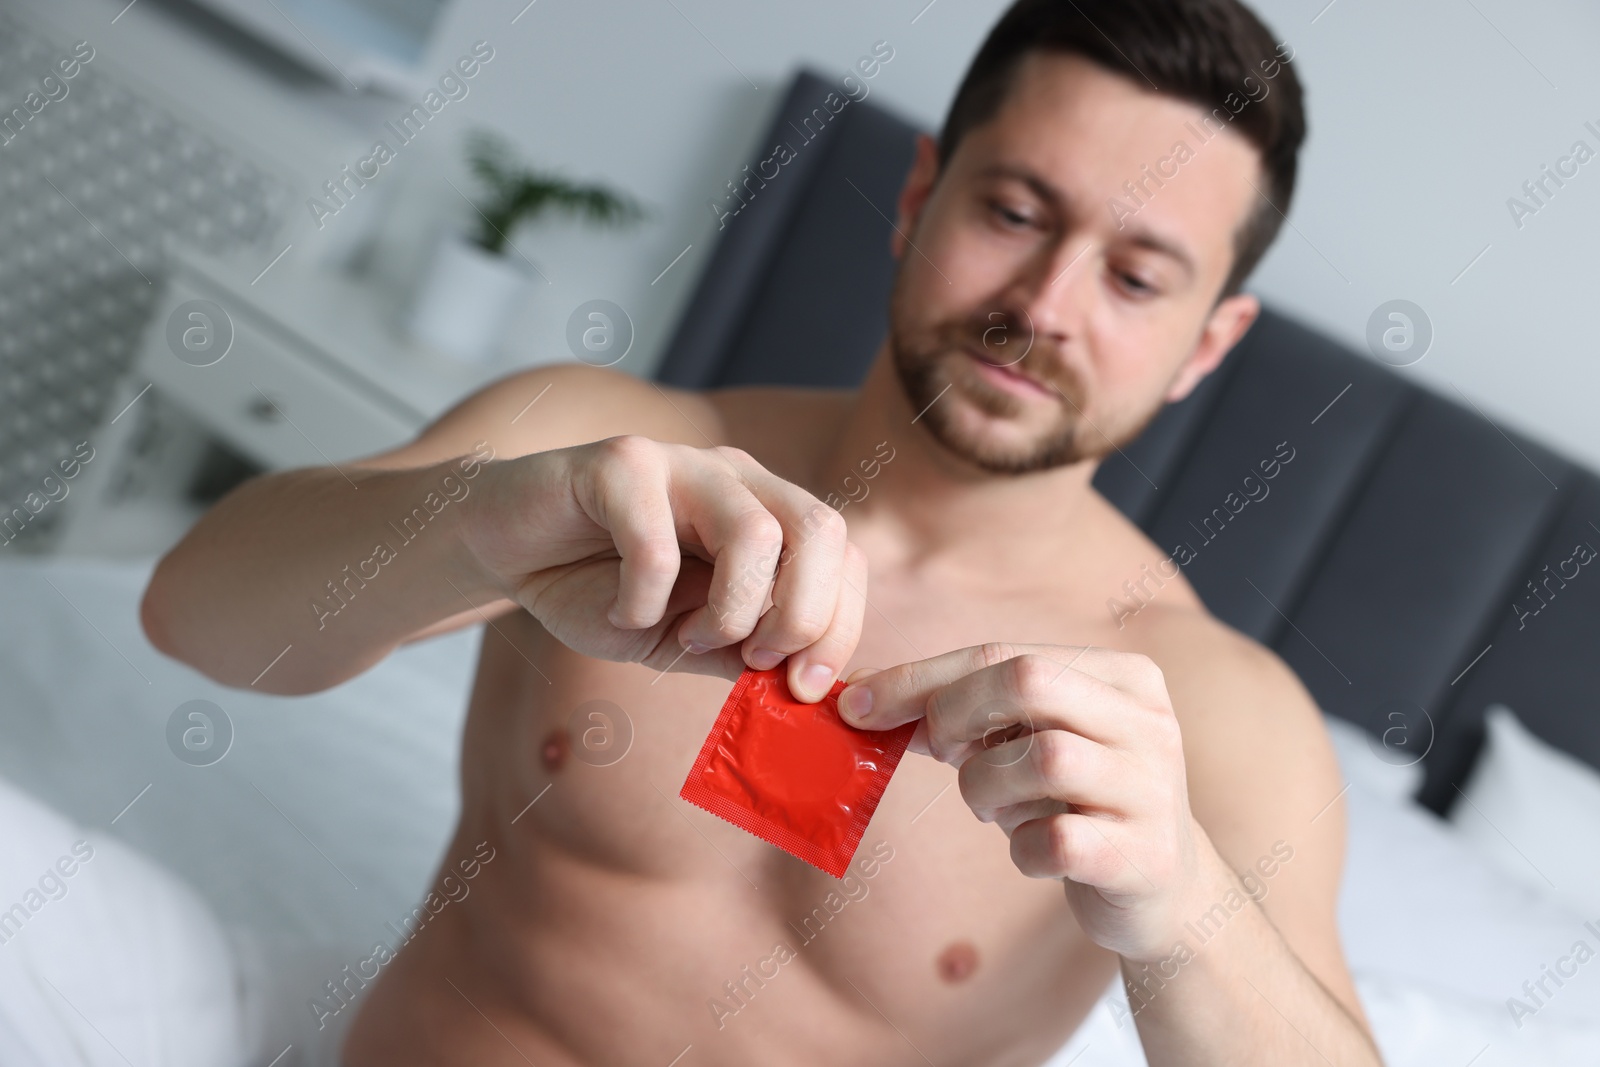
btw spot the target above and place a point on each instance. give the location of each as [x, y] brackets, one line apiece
[1076, 754]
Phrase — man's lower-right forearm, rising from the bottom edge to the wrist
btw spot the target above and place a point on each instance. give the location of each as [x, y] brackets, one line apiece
[1239, 996]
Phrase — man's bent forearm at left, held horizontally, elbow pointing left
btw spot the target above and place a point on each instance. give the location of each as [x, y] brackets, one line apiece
[335, 569]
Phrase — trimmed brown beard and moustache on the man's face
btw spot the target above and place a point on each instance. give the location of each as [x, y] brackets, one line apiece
[924, 359]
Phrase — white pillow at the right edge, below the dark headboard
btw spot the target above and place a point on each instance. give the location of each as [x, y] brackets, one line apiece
[1535, 813]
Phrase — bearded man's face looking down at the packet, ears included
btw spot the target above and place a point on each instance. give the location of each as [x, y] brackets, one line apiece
[1031, 324]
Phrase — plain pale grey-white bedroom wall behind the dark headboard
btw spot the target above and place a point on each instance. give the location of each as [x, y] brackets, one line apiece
[1425, 119]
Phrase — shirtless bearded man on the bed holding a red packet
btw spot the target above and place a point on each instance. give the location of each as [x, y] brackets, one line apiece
[1161, 797]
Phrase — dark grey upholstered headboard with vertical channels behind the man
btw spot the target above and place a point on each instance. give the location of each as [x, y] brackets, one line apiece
[1407, 561]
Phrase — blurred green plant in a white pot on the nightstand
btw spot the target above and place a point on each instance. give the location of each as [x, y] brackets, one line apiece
[474, 281]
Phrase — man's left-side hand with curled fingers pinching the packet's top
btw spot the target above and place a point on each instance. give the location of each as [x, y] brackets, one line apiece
[695, 559]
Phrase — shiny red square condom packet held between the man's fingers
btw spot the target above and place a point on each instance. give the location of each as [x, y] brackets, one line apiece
[794, 775]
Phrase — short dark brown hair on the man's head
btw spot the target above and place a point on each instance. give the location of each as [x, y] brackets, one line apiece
[1212, 54]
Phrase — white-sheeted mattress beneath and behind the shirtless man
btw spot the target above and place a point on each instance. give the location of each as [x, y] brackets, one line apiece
[329, 813]
